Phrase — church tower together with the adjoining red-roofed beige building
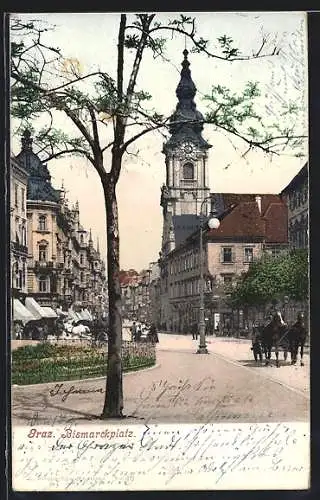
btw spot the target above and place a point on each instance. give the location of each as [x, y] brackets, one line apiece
[250, 224]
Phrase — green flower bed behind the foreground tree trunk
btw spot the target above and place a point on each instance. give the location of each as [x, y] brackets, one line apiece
[49, 363]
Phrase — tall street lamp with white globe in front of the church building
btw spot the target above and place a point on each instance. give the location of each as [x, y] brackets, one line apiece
[213, 223]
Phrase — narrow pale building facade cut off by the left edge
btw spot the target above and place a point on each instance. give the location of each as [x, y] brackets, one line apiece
[18, 229]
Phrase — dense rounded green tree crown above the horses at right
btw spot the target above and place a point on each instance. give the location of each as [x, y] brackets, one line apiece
[273, 278]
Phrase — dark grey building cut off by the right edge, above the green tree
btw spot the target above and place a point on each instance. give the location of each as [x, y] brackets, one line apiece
[296, 197]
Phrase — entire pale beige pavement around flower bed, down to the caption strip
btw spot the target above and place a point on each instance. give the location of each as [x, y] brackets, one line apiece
[224, 386]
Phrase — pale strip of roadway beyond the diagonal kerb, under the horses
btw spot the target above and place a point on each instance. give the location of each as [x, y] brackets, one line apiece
[238, 351]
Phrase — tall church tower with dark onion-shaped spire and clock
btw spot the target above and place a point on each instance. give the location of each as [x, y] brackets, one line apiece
[186, 166]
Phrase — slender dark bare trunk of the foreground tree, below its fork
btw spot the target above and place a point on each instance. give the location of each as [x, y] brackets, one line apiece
[113, 404]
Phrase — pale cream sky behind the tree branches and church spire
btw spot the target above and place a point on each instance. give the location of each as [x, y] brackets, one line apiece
[91, 38]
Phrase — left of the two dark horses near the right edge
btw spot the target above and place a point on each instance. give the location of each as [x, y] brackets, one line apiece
[272, 336]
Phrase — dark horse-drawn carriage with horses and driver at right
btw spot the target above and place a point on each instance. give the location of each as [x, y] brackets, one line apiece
[277, 336]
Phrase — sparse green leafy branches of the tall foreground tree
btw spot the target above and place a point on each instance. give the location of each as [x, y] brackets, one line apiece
[45, 82]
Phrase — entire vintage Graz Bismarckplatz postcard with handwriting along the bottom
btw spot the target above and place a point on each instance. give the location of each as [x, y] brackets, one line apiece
[159, 225]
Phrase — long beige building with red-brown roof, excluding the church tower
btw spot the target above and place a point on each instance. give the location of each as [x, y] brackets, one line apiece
[246, 231]
